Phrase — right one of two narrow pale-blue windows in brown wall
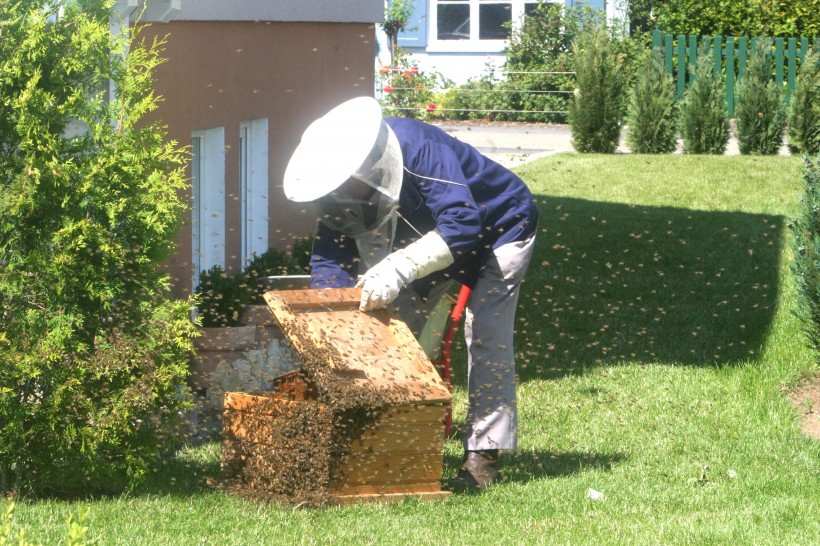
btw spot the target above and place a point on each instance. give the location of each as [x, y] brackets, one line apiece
[253, 187]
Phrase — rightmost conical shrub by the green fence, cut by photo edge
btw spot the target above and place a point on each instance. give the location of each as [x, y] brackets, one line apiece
[804, 111]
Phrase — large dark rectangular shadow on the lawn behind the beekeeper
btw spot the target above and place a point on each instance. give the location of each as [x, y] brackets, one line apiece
[610, 283]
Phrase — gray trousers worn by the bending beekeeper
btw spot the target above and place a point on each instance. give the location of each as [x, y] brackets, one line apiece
[492, 415]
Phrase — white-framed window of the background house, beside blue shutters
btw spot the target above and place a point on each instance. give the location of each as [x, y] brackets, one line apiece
[484, 24]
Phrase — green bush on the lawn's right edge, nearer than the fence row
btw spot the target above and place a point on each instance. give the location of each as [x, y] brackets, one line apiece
[806, 266]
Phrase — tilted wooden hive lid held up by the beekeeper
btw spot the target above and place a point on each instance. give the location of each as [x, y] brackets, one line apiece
[371, 349]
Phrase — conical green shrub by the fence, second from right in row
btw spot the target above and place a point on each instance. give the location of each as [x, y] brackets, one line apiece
[759, 112]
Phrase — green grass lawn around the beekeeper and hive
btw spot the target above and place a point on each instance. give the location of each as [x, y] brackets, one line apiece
[655, 339]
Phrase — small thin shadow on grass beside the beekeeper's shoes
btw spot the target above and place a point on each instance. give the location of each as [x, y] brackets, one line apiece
[523, 466]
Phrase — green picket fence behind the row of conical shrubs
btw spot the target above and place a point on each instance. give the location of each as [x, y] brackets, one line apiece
[730, 55]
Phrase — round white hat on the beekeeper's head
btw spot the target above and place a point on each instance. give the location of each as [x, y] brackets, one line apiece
[334, 147]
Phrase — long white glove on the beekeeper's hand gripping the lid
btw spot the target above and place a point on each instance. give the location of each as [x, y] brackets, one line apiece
[382, 283]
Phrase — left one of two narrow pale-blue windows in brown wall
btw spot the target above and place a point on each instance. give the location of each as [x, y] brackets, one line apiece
[208, 200]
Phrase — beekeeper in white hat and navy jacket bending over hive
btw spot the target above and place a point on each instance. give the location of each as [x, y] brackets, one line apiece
[404, 210]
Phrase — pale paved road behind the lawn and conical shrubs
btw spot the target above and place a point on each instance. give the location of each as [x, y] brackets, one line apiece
[514, 143]
